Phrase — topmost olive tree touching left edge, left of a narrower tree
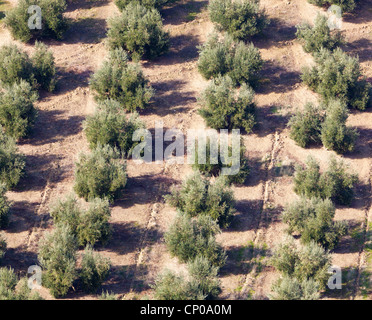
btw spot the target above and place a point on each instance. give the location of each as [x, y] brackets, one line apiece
[15, 65]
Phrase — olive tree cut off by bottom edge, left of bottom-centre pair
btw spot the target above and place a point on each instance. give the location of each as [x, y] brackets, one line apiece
[169, 286]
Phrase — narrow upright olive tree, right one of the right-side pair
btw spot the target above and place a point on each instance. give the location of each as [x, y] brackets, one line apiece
[335, 135]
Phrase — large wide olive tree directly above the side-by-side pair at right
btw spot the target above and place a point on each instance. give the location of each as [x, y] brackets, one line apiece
[337, 76]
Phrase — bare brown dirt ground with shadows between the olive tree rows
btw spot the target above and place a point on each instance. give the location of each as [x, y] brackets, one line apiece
[139, 220]
